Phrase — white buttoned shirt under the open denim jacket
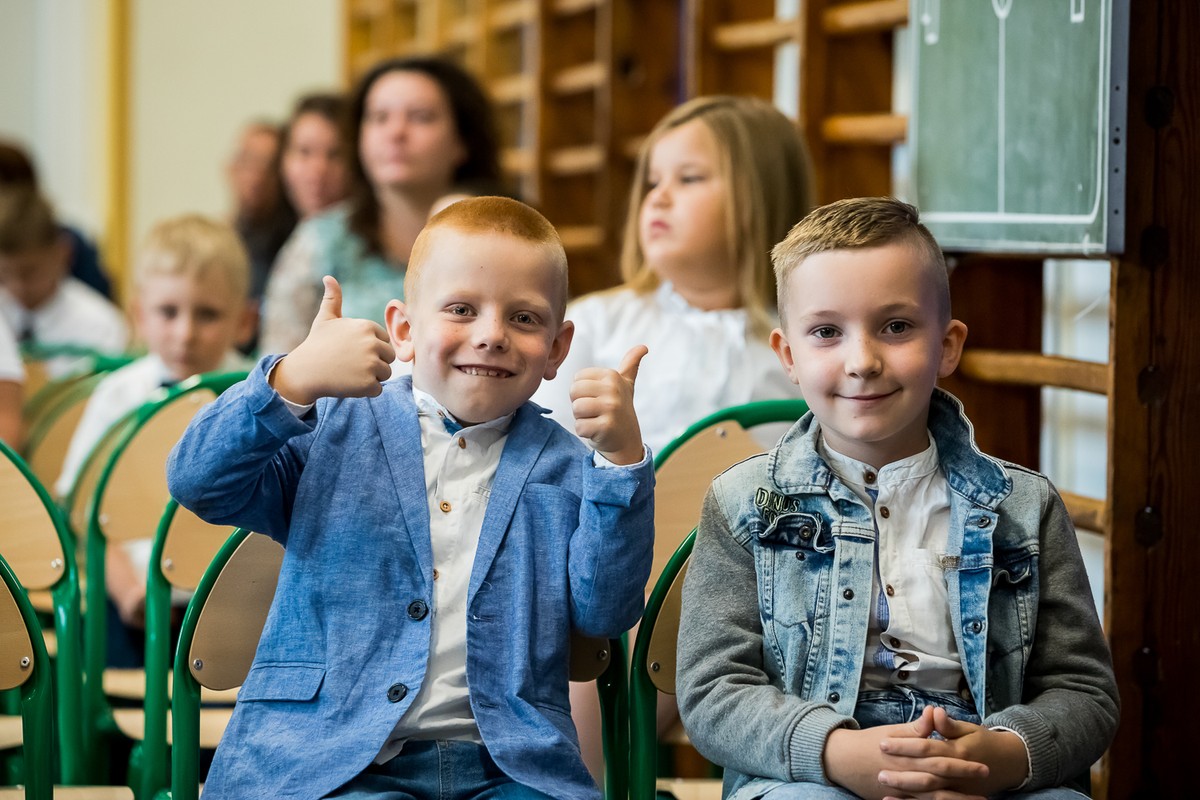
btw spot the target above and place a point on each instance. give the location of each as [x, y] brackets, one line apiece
[910, 640]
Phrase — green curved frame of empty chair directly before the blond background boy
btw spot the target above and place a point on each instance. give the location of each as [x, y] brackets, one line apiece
[98, 711]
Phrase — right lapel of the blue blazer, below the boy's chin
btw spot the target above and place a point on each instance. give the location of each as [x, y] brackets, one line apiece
[527, 440]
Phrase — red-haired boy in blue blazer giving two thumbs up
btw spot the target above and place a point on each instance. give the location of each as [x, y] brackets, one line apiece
[442, 538]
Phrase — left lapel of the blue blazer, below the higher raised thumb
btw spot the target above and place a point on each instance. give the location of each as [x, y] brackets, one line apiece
[395, 414]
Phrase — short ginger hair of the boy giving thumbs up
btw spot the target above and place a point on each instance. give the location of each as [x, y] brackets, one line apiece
[493, 215]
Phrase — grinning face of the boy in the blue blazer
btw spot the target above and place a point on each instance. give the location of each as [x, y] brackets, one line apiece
[483, 323]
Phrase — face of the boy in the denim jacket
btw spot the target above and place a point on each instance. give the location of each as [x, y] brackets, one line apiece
[867, 341]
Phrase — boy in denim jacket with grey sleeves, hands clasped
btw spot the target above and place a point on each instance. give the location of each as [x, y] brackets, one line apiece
[875, 609]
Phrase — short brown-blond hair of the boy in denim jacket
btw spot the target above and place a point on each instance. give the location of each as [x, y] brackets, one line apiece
[860, 224]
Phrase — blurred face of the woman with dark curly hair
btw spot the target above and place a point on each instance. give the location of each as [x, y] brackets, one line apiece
[409, 139]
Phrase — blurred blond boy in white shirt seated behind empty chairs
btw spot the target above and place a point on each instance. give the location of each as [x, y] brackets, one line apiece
[191, 280]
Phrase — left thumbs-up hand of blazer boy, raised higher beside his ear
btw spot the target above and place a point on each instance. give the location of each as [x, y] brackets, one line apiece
[340, 358]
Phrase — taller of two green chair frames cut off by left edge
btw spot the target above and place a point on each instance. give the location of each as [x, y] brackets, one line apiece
[68, 629]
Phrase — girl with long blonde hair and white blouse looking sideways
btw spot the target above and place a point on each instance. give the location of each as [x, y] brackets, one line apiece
[718, 183]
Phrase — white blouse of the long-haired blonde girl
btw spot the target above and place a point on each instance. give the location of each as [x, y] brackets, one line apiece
[699, 363]
